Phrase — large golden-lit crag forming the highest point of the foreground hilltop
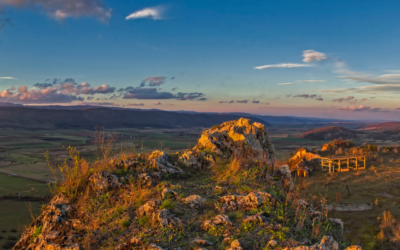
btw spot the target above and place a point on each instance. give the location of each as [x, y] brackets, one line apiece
[239, 138]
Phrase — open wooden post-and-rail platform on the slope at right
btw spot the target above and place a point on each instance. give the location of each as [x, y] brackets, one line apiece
[354, 162]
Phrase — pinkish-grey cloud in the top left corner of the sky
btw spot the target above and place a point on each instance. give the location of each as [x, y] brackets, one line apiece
[60, 10]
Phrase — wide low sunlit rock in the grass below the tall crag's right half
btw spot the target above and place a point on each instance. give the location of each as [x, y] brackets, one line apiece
[252, 200]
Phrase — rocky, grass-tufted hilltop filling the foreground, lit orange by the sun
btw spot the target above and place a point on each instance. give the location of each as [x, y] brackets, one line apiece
[228, 192]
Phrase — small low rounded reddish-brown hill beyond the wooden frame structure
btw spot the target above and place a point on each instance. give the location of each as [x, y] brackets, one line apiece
[329, 133]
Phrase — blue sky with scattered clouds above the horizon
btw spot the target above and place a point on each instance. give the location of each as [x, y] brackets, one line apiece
[329, 59]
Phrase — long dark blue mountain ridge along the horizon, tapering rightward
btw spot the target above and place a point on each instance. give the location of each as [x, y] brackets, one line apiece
[87, 116]
